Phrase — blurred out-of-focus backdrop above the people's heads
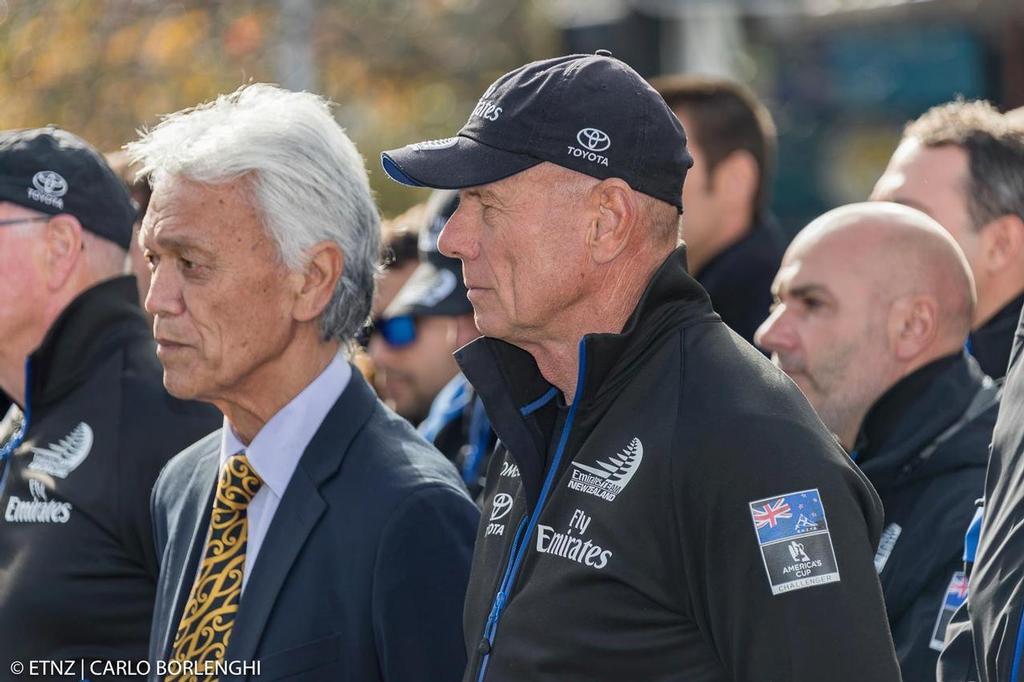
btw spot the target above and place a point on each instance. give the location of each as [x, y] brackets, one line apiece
[840, 76]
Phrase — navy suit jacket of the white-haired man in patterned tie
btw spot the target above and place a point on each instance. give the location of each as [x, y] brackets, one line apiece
[363, 572]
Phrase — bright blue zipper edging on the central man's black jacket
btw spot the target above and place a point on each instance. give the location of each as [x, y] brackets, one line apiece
[522, 540]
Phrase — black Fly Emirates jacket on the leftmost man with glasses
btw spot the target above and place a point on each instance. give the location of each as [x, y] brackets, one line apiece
[78, 570]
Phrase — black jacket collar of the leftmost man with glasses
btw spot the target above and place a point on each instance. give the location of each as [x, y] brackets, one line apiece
[93, 326]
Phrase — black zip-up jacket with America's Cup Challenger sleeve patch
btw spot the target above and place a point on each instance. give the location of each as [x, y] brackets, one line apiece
[688, 519]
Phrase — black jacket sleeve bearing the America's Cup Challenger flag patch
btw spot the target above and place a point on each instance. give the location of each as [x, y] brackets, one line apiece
[781, 530]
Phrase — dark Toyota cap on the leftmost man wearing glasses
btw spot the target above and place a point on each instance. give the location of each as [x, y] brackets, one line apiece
[53, 172]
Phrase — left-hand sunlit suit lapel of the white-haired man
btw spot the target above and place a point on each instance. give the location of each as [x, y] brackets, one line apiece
[199, 500]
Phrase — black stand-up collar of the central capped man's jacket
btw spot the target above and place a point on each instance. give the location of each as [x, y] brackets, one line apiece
[508, 381]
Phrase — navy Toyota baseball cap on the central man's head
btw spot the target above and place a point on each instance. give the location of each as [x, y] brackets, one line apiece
[588, 113]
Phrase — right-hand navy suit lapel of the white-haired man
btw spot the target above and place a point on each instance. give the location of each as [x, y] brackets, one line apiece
[298, 513]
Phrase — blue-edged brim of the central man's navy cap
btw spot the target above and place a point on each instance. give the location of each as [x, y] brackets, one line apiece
[453, 164]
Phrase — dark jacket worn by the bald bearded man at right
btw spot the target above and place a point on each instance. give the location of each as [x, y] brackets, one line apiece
[925, 448]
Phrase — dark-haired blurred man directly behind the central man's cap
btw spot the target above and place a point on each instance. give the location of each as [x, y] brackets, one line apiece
[734, 245]
